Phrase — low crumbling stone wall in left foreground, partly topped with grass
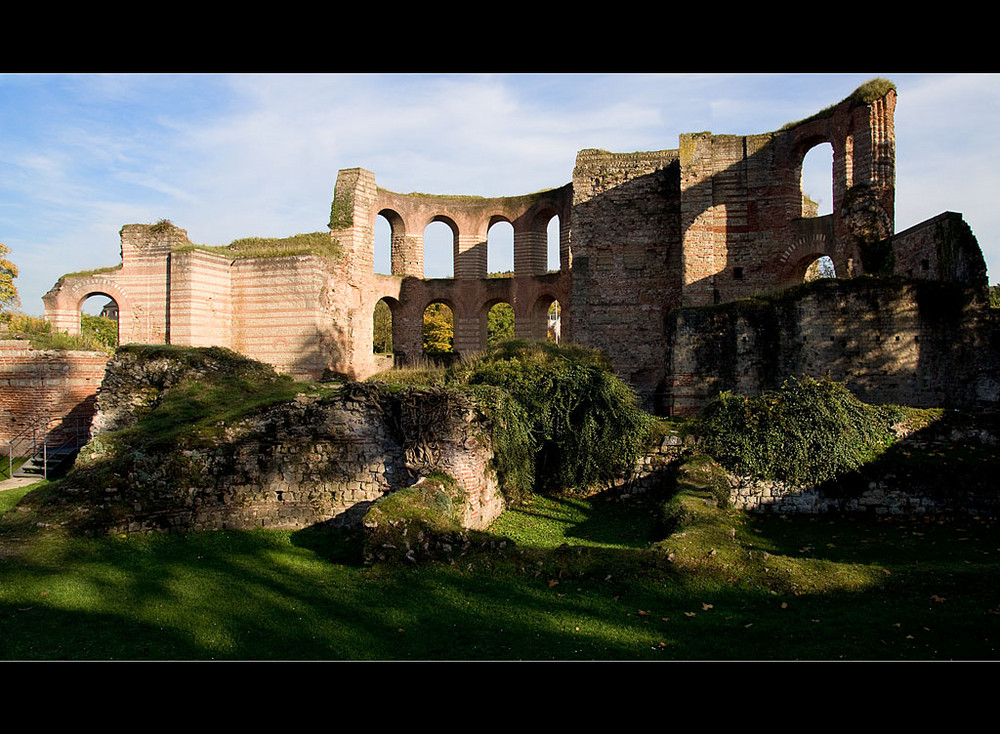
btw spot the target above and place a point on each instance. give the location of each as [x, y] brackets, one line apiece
[320, 457]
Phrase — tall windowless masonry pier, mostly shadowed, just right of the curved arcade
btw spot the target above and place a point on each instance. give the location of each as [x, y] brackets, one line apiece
[626, 259]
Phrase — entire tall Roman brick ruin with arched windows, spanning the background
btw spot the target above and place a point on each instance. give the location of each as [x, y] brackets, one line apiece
[719, 219]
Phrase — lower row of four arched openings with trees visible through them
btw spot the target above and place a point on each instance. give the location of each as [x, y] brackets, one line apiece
[498, 323]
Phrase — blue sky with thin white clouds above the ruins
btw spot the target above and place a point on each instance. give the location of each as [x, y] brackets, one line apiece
[257, 155]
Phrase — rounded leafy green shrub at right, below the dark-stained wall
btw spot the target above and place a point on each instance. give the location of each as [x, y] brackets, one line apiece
[807, 431]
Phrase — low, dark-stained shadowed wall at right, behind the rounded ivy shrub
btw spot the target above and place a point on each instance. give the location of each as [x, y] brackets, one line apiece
[919, 344]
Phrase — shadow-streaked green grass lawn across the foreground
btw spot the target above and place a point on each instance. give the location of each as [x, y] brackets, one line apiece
[587, 583]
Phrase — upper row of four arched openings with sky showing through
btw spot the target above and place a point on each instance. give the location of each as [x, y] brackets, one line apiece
[439, 247]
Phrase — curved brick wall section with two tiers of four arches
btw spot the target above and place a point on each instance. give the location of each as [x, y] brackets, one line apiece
[358, 201]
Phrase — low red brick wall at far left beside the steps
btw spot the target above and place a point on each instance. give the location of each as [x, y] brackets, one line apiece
[34, 383]
